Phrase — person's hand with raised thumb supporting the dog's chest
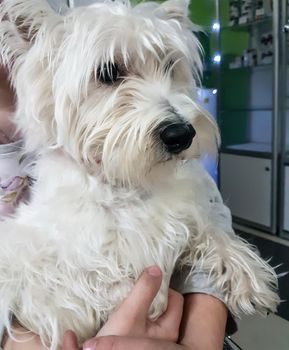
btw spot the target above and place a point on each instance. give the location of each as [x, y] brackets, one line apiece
[130, 319]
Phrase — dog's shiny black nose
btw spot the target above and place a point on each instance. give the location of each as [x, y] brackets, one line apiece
[177, 137]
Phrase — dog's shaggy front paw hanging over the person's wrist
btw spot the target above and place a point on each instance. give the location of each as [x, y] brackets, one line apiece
[235, 271]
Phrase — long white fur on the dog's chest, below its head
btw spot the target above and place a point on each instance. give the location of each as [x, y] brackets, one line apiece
[81, 244]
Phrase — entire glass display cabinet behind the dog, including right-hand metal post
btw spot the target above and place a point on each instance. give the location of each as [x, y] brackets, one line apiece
[254, 114]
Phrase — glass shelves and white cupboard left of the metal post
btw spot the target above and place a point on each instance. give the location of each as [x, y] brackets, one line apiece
[247, 113]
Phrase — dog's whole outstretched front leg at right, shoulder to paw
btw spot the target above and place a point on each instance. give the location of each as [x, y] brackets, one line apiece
[233, 267]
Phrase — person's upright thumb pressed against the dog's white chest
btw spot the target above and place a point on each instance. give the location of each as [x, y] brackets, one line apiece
[138, 302]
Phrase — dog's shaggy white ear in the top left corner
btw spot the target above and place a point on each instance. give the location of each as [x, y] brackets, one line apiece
[20, 21]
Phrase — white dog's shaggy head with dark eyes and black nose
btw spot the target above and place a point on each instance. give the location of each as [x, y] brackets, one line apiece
[111, 84]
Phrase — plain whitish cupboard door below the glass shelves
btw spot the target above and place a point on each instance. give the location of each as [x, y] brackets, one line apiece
[244, 183]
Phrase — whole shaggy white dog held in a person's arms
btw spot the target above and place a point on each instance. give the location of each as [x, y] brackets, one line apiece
[106, 99]
